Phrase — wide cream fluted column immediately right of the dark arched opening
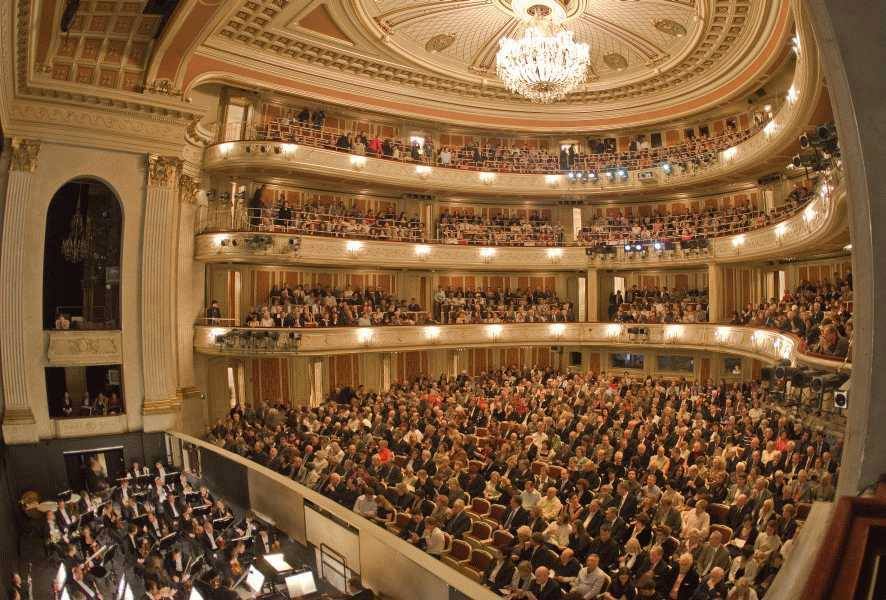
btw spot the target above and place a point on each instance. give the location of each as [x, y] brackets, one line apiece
[159, 330]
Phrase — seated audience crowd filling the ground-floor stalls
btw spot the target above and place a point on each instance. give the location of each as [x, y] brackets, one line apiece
[518, 476]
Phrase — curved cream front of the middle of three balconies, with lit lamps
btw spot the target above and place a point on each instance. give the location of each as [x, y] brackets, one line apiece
[820, 225]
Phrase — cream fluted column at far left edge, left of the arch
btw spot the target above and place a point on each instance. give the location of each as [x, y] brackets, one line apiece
[19, 426]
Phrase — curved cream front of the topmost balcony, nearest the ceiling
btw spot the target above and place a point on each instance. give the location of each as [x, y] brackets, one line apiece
[768, 145]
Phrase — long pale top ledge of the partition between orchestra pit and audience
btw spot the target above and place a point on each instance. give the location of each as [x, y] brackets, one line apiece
[453, 578]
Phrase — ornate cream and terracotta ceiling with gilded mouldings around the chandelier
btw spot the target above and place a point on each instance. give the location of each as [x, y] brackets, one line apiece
[652, 60]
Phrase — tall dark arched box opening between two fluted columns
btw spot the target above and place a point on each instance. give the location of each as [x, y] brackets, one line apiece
[81, 257]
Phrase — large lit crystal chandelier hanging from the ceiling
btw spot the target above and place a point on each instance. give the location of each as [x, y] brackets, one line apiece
[544, 63]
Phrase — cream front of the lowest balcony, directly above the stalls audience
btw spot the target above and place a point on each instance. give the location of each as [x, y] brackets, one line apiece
[762, 344]
